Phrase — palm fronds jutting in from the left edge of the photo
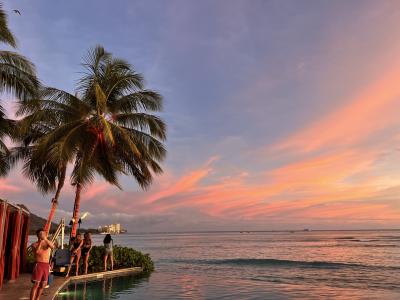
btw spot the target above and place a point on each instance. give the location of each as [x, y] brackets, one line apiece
[17, 77]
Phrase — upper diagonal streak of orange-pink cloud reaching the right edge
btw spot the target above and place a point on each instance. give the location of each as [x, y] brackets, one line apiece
[369, 111]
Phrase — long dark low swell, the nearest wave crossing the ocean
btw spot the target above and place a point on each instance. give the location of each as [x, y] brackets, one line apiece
[259, 262]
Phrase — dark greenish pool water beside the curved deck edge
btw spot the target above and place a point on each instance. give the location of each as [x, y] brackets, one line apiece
[107, 288]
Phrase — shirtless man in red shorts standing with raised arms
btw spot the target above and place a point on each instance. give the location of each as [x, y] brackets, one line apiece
[40, 273]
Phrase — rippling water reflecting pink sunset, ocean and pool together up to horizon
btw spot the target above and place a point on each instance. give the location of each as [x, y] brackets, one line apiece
[257, 265]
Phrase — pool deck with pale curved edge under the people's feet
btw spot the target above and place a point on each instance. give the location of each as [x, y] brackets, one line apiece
[20, 288]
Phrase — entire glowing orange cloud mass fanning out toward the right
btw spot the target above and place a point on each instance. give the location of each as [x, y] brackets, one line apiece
[320, 183]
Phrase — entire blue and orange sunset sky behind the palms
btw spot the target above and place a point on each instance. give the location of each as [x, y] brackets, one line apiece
[281, 114]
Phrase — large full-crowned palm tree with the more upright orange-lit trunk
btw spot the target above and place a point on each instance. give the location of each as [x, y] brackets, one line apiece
[107, 128]
